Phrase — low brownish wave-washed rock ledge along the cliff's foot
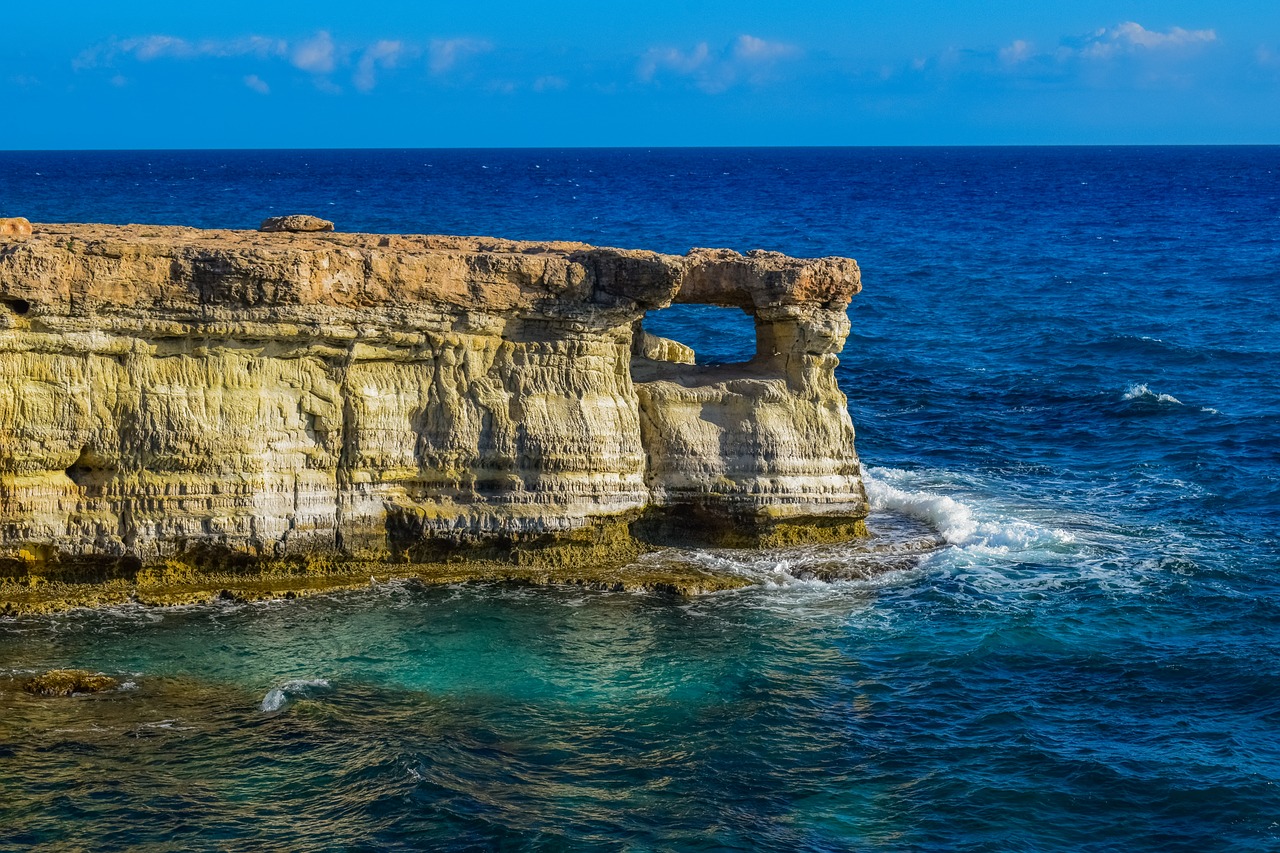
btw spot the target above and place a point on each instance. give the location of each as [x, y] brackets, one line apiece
[894, 542]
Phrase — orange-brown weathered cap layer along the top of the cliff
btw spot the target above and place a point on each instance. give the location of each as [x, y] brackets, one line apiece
[63, 268]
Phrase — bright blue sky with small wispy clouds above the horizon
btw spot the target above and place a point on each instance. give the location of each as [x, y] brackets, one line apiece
[664, 72]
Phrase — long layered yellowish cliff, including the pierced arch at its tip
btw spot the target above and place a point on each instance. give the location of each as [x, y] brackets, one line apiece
[179, 402]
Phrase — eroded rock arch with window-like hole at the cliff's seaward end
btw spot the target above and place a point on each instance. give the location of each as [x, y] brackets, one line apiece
[766, 445]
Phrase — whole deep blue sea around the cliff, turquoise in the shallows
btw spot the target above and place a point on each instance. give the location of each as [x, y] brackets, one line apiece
[1067, 362]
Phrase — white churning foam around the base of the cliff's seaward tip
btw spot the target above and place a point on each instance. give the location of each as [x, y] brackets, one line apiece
[971, 533]
